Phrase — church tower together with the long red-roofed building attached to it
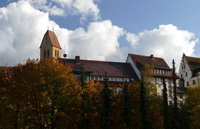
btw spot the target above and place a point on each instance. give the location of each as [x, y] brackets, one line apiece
[116, 72]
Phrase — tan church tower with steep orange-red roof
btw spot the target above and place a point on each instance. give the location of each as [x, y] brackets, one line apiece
[50, 47]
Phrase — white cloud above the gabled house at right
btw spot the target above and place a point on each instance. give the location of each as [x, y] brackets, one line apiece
[167, 42]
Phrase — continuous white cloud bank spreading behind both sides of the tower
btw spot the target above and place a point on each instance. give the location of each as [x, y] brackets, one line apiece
[22, 29]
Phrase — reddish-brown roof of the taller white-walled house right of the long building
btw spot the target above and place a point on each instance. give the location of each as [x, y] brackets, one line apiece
[157, 63]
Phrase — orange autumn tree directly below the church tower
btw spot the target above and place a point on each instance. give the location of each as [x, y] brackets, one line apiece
[61, 94]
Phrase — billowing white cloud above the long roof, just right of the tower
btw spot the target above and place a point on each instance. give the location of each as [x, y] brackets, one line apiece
[98, 42]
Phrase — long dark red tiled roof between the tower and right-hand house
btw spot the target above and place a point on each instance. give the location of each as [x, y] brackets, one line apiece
[99, 68]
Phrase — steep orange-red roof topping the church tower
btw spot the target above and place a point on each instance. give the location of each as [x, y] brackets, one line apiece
[53, 38]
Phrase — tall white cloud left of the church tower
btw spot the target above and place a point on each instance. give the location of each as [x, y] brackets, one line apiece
[21, 28]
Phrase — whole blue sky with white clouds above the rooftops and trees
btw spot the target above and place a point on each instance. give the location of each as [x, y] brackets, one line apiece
[100, 29]
